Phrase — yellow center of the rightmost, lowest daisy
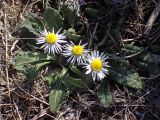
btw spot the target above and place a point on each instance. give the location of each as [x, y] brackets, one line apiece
[96, 65]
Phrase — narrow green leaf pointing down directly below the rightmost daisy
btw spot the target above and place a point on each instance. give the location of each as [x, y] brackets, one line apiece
[104, 94]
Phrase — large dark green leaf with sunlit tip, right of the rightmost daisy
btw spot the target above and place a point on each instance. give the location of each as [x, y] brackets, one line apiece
[124, 73]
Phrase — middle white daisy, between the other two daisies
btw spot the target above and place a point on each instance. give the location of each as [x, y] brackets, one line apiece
[76, 53]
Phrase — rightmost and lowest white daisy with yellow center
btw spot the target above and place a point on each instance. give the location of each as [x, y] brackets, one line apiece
[97, 65]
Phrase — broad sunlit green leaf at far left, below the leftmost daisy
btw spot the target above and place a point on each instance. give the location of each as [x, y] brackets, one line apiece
[29, 63]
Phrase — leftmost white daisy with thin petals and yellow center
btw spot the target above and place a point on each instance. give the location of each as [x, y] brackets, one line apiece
[51, 41]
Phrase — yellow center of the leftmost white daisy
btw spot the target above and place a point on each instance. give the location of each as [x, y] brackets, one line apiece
[51, 38]
